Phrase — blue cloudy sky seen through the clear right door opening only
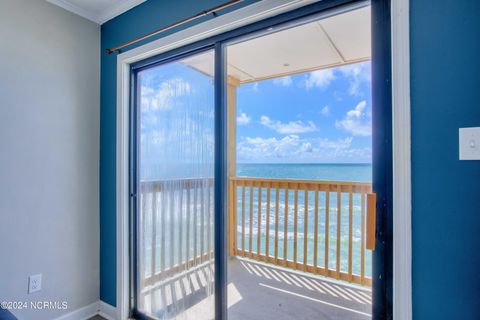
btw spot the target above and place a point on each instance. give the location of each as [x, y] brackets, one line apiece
[317, 117]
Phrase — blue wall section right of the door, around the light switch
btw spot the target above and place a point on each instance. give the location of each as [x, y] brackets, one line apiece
[445, 92]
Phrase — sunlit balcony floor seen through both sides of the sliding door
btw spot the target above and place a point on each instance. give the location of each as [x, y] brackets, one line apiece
[260, 291]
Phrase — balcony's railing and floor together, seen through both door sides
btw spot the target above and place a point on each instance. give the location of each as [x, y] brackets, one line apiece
[295, 248]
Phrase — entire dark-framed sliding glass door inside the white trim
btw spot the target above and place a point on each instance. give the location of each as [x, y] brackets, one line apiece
[186, 105]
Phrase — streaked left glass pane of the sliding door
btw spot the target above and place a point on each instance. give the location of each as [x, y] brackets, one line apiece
[174, 261]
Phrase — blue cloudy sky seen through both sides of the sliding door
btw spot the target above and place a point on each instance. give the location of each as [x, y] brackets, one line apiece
[316, 117]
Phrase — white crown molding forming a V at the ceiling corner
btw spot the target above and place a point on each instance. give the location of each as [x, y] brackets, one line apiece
[98, 17]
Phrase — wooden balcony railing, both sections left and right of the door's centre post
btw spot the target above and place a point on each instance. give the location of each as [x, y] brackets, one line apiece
[313, 226]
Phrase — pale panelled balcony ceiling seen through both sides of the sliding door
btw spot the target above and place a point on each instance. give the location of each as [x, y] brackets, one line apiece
[334, 41]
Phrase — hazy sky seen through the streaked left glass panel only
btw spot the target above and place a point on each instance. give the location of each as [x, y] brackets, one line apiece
[176, 122]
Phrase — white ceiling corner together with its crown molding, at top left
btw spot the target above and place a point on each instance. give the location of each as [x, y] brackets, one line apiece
[98, 11]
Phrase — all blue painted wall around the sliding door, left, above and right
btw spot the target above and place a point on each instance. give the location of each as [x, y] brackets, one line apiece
[445, 96]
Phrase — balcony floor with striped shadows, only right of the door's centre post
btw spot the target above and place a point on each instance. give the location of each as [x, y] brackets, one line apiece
[269, 292]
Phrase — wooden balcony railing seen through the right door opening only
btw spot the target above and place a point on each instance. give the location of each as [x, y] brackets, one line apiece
[313, 226]
